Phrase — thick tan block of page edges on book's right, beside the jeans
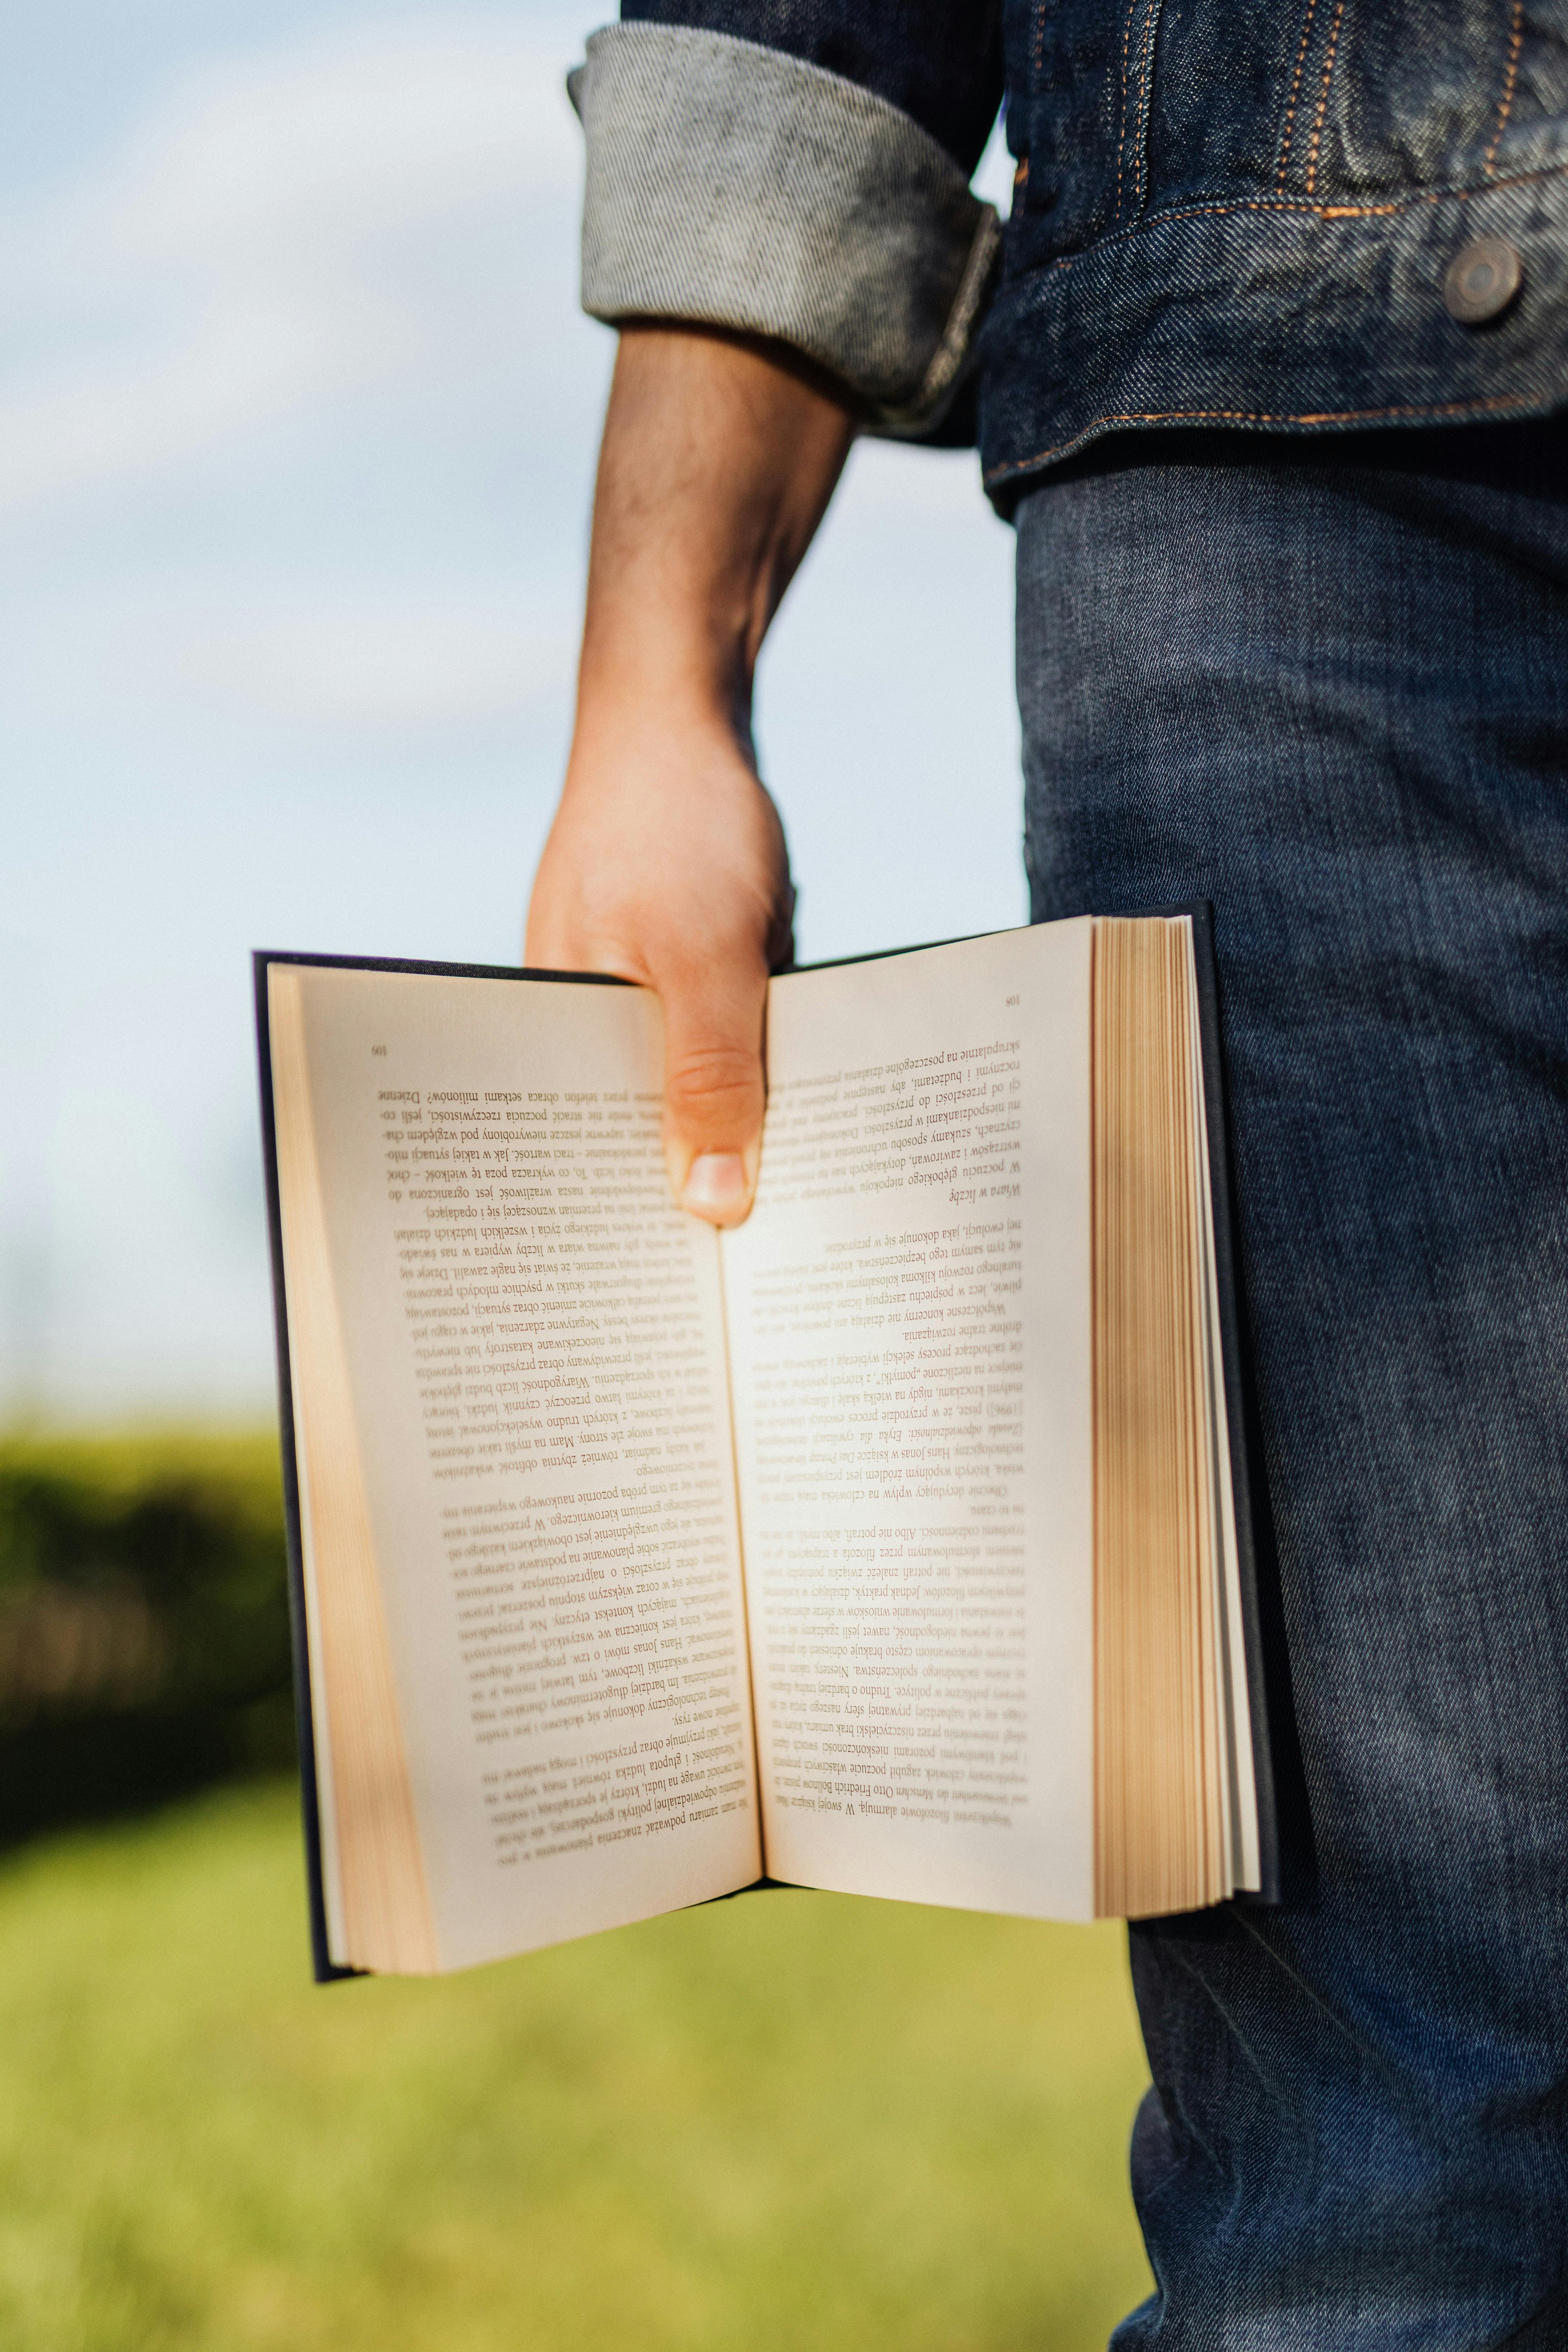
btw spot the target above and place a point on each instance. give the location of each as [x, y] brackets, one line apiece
[1160, 1735]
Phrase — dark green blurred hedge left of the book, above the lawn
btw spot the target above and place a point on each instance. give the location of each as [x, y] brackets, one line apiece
[145, 1624]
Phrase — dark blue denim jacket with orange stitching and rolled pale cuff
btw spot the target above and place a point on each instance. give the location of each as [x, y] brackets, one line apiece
[1296, 215]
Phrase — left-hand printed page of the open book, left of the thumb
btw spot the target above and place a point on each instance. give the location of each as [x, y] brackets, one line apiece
[537, 1365]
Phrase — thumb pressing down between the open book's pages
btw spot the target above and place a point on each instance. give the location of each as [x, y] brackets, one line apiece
[716, 1090]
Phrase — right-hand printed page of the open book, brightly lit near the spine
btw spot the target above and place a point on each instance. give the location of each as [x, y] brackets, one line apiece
[911, 1358]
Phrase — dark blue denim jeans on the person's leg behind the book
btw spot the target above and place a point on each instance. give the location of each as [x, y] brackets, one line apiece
[1327, 688]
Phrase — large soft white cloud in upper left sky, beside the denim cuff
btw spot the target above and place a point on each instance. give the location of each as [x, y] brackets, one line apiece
[243, 236]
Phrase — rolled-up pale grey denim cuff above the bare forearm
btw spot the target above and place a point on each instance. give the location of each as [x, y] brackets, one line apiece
[737, 187]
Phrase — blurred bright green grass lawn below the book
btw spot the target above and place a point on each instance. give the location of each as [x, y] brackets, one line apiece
[777, 2123]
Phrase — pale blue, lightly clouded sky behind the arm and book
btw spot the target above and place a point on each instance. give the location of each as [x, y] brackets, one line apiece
[297, 429]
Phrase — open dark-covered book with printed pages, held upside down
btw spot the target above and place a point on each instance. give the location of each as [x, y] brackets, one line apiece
[894, 1542]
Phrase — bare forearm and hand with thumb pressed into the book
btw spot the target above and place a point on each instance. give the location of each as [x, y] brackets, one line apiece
[666, 862]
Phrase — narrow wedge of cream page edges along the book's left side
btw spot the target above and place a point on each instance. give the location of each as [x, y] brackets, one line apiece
[375, 1880]
